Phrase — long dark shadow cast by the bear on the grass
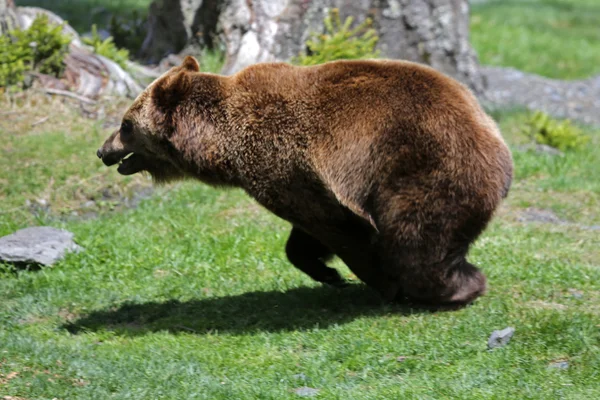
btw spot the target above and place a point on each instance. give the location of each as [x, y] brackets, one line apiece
[296, 309]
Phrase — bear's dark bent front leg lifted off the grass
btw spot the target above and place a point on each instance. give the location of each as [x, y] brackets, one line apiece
[308, 255]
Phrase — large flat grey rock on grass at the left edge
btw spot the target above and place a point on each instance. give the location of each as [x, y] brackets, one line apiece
[37, 245]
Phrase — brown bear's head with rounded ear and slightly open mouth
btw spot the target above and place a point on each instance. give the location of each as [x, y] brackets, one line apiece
[159, 128]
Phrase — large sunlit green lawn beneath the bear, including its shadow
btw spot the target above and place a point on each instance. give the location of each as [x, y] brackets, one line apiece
[190, 295]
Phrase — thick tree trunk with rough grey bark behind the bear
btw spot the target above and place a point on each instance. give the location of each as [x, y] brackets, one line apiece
[434, 32]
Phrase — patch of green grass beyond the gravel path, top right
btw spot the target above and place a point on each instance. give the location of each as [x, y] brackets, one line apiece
[555, 38]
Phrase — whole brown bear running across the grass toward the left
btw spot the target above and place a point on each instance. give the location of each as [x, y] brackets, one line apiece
[390, 165]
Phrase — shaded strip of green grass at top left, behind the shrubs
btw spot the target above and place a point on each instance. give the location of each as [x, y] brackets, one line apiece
[81, 14]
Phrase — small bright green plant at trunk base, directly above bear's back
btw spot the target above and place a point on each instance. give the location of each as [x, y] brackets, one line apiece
[339, 42]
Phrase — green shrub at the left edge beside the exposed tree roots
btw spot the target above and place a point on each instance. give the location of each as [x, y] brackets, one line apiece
[42, 47]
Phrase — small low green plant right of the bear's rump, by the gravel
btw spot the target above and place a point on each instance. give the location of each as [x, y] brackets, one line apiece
[562, 135]
